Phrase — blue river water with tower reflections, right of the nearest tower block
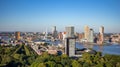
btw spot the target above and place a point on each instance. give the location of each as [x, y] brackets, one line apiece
[105, 49]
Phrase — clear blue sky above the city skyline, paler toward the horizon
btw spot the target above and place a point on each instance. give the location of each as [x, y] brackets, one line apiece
[37, 15]
